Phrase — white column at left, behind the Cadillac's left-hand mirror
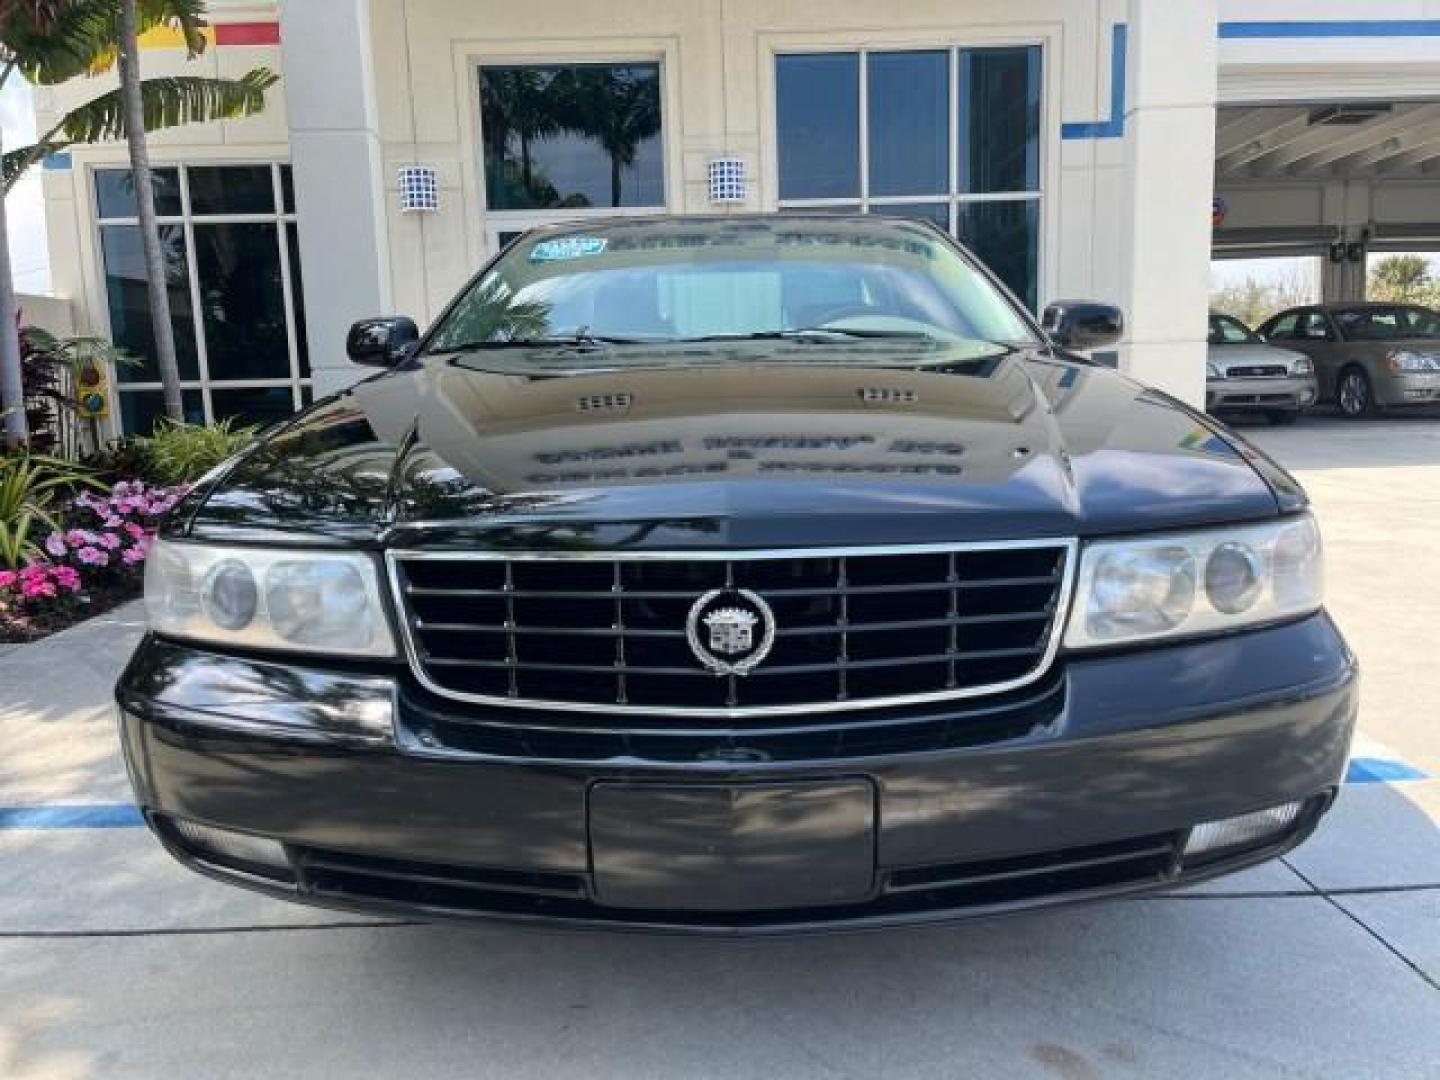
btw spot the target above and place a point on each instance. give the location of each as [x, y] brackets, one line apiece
[339, 184]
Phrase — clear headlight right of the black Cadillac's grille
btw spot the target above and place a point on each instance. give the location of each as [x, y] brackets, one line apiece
[1197, 582]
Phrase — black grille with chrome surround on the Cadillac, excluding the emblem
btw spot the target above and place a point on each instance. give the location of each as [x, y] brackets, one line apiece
[858, 629]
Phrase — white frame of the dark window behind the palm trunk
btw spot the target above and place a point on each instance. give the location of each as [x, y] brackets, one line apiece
[300, 387]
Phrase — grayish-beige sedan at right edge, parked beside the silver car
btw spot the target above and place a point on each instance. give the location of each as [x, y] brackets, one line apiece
[1367, 356]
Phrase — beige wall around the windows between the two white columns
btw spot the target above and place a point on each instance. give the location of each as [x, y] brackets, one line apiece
[718, 100]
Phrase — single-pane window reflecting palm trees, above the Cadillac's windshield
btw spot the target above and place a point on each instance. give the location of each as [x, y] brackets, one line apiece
[572, 136]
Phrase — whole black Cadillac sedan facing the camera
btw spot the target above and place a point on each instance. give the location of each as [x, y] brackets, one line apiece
[737, 575]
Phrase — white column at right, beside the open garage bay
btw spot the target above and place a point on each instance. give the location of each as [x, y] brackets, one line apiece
[1170, 163]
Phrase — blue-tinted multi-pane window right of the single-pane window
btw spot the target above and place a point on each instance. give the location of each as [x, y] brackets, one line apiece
[950, 136]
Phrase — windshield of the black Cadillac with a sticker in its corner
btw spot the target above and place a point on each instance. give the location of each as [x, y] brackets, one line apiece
[636, 284]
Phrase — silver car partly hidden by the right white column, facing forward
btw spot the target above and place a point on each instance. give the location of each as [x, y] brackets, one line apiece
[1246, 375]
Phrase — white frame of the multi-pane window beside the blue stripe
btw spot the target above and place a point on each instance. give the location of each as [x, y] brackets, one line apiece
[1043, 197]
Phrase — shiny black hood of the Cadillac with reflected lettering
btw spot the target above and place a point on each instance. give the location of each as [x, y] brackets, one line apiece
[788, 446]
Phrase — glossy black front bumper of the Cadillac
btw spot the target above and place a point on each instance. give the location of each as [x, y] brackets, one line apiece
[1091, 793]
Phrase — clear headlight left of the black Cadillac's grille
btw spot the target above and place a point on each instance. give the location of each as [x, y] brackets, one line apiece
[263, 598]
